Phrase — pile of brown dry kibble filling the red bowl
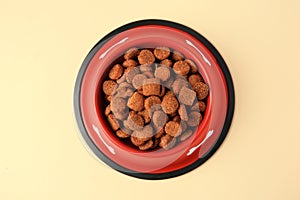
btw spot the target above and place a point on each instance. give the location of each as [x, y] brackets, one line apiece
[155, 98]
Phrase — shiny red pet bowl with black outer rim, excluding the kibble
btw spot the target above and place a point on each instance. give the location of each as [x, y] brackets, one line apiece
[157, 164]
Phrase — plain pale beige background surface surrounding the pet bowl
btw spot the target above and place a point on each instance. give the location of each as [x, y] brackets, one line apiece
[42, 45]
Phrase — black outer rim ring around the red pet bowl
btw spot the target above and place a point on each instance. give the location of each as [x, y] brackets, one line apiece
[102, 156]
